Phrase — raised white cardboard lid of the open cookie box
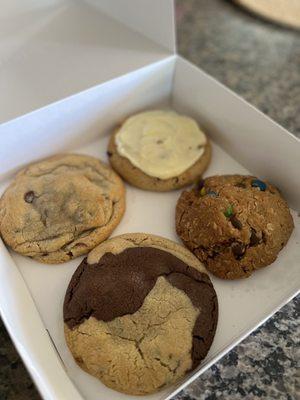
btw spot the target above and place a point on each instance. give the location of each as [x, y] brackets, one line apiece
[52, 49]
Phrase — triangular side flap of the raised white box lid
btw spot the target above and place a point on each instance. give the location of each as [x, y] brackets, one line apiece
[152, 18]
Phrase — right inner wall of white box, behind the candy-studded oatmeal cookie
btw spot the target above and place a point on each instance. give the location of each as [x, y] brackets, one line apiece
[257, 142]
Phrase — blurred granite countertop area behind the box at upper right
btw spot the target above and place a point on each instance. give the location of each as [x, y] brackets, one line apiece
[257, 59]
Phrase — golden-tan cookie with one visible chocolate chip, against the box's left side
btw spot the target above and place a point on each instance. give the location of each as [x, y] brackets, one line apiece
[61, 207]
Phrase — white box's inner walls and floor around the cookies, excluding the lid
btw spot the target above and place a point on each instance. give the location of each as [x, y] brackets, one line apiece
[242, 141]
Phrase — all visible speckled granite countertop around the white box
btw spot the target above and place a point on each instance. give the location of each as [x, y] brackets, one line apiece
[261, 62]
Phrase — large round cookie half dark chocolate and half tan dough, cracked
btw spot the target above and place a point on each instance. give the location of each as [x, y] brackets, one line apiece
[140, 311]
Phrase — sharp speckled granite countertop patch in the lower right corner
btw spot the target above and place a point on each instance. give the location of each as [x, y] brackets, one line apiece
[264, 366]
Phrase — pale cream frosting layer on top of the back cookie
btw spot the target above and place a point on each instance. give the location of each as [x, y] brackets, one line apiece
[162, 144]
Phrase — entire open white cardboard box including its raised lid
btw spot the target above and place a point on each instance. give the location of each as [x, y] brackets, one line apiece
[97, 62]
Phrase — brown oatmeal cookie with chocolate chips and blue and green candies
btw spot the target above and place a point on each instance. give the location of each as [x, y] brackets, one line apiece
[234, 224]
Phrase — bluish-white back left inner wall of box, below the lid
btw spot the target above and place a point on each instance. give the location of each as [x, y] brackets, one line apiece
[82, 117]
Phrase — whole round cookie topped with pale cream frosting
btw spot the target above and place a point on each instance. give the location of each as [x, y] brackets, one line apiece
[159, 150]
